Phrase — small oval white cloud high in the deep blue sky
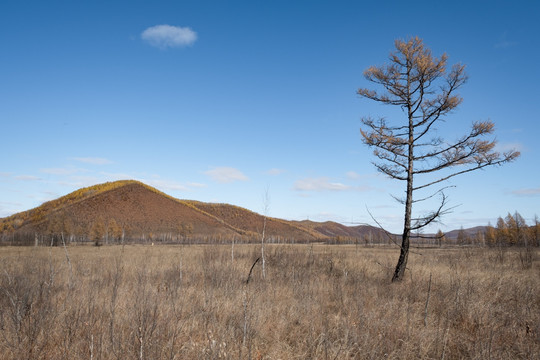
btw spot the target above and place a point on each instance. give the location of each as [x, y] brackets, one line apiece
[164, 36]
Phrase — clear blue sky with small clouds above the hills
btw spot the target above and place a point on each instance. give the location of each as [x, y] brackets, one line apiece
[222, 101]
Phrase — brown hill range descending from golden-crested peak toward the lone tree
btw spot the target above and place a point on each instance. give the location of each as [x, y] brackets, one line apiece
[133, 209]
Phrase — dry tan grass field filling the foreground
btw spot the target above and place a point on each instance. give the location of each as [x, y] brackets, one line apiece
[316, 302]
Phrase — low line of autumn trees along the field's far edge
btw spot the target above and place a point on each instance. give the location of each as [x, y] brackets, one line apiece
[511, 230]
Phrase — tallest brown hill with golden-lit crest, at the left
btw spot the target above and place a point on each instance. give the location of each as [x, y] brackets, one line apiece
[129, 205]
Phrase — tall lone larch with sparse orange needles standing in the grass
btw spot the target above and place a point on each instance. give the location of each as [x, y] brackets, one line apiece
[424, 89]
